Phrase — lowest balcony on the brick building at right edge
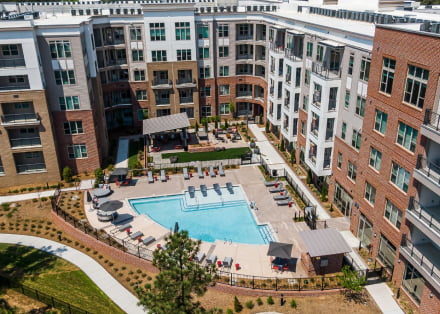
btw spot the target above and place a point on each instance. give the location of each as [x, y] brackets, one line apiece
[425, 258]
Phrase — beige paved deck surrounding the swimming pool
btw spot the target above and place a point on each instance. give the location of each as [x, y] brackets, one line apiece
[252, 258]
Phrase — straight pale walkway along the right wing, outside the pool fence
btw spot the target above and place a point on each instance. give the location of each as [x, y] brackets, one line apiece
[275, 161]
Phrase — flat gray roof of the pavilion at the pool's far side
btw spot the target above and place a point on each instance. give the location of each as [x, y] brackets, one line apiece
[165, 123]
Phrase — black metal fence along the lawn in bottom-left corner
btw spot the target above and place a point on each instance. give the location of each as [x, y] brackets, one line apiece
[42, 297]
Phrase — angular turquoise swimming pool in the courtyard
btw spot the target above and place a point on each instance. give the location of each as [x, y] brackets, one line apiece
[221, 216]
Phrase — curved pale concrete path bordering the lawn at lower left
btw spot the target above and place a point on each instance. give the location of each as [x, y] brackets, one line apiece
[111, 287]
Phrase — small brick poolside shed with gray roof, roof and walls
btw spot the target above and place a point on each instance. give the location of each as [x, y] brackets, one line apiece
[325, 250]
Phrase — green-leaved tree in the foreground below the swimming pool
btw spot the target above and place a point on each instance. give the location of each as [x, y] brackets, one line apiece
[180, 280]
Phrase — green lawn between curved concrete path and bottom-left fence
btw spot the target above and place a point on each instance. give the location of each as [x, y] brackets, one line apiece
[54, 276]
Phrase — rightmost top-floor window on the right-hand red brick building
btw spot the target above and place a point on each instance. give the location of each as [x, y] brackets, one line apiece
[415, 88]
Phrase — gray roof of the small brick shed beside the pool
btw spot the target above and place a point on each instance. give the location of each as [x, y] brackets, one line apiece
[324, 242]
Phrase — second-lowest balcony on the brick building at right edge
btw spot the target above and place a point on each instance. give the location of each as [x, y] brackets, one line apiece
[425, 218]
